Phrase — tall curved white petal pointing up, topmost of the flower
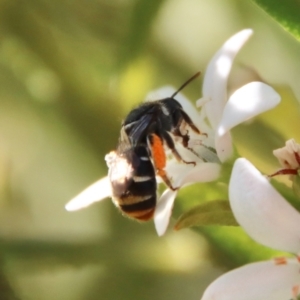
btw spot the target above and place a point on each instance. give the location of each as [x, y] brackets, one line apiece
[215, 80]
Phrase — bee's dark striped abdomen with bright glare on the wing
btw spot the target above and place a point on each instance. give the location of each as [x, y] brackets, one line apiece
[132, 177]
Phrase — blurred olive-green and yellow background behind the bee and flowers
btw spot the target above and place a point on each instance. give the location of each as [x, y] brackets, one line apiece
[70, 71]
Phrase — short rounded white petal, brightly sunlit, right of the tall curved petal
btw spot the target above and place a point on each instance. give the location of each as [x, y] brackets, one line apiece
[247, 102]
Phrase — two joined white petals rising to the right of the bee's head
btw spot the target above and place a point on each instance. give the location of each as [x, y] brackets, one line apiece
[246, 102]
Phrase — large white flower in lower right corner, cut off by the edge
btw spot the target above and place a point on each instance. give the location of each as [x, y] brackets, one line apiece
[270, 220]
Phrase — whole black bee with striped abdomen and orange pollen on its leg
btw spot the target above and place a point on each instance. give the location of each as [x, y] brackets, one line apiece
[141, 156]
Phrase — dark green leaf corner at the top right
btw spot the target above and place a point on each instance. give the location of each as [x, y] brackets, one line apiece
[285, 12]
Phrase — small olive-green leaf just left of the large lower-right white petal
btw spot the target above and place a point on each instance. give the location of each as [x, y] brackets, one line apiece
[217, 212]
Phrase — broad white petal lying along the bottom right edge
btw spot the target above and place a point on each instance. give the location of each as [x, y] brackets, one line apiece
[256, 281]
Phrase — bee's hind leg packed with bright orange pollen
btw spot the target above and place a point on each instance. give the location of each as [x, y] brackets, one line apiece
[155, 143]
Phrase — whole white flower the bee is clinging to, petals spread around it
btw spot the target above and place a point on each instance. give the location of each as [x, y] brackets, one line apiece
[218, 115]
